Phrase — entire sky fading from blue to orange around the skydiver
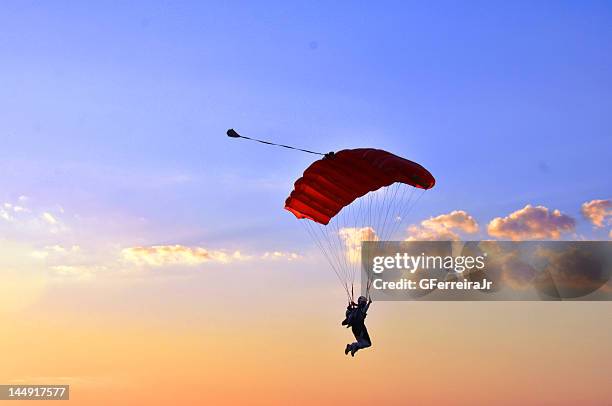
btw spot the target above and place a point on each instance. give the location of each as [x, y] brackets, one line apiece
[112, 136]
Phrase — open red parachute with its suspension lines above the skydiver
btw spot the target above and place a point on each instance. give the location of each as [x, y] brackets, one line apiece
[355, 195]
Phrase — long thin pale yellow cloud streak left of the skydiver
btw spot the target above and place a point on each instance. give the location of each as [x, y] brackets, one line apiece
[163, 255]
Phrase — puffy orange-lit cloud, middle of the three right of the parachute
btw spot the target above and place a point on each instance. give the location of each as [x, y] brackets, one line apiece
[531, 223]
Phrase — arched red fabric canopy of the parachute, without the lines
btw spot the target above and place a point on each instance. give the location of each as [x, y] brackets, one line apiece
[331, 183]
